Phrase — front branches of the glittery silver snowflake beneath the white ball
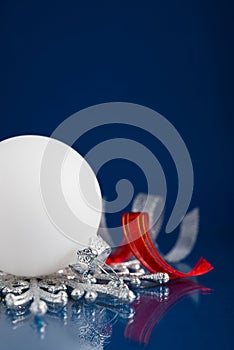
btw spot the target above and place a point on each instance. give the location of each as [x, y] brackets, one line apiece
[38, 294]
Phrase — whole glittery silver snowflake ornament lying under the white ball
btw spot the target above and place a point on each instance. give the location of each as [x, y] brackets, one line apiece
[40, 294]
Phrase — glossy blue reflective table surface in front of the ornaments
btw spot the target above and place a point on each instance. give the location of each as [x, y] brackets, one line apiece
[184, 314]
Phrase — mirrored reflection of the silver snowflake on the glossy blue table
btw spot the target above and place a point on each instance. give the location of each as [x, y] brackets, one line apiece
[90, 323]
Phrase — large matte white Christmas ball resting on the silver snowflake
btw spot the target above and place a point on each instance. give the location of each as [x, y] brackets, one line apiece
[45, 215]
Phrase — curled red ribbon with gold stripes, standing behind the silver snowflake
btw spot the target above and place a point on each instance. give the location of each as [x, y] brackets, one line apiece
[137, 242]
